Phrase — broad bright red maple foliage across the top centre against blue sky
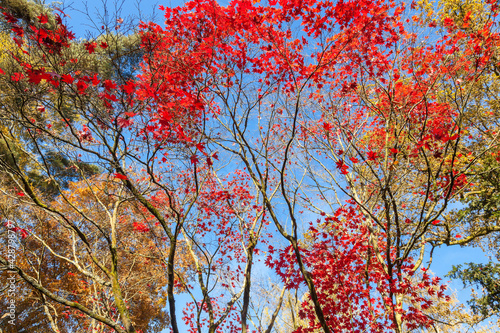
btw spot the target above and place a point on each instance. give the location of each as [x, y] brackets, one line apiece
[203, 44]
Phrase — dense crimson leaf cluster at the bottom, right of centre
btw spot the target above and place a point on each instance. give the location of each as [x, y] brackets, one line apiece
[349, 279]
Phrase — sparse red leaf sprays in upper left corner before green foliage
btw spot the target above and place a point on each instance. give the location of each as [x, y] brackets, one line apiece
[53, 41]
